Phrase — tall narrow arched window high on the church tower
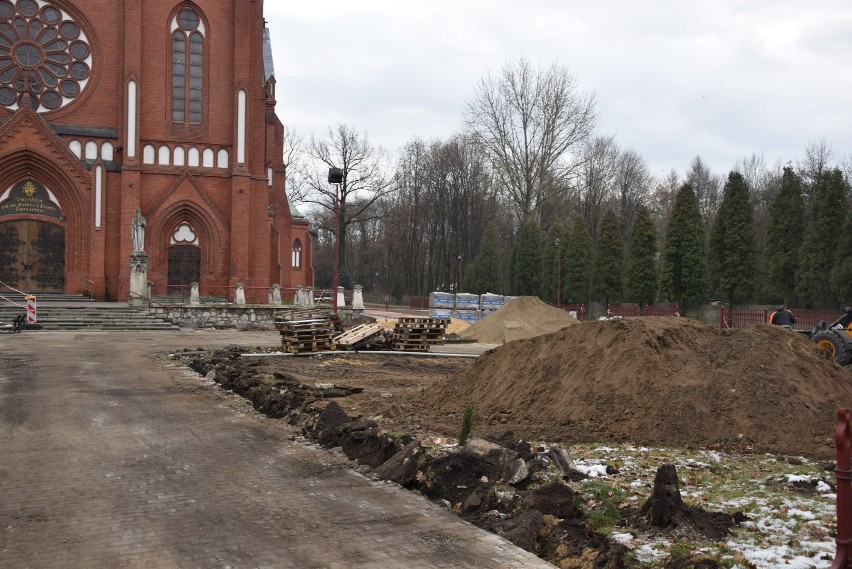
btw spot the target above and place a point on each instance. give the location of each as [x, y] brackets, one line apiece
[187, 67]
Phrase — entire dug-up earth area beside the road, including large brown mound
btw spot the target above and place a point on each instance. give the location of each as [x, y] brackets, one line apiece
[635, 383]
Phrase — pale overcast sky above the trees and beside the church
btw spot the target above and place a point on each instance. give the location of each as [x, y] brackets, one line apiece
[673, 79]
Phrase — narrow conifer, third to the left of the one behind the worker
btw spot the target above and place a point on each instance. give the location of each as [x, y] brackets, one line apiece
[641, 284]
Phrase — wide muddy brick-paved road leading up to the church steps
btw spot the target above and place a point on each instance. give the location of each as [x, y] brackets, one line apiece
[109, 459]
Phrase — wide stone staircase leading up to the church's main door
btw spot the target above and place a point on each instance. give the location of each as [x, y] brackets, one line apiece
[68, 312]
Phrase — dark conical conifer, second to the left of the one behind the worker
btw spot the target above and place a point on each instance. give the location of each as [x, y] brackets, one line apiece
[682, 278]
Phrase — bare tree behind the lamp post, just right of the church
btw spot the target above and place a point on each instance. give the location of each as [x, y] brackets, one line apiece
[366, 178]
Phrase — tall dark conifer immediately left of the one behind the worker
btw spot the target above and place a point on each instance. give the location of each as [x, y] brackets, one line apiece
[731, 257]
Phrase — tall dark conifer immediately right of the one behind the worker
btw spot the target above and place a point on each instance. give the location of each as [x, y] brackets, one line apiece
[817, 256]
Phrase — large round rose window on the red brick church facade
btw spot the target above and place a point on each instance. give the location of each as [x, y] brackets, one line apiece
[44, 55]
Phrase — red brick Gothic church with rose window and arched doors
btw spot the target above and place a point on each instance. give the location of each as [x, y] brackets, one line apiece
[109, 106]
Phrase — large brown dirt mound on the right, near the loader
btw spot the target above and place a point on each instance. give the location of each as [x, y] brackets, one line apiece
[657, 381]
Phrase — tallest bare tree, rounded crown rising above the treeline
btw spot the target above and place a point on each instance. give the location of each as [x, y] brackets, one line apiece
[528, 120]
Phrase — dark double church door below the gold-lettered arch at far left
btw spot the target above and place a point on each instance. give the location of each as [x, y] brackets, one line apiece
[32, 256]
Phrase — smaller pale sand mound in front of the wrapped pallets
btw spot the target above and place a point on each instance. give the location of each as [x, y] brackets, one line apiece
[523, 317]
